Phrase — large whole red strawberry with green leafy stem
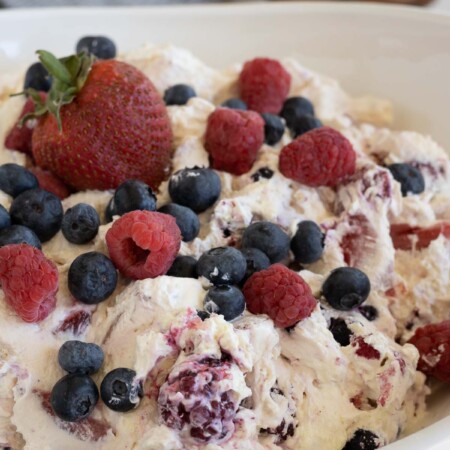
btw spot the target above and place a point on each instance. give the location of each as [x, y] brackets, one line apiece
[103, 123]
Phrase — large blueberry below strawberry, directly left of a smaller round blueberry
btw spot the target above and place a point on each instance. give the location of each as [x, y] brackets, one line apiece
[39, 210]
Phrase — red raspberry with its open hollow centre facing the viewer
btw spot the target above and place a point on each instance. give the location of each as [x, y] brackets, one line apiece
[143, 244]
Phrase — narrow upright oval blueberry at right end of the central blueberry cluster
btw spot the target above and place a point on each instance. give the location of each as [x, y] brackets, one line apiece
[307, 243]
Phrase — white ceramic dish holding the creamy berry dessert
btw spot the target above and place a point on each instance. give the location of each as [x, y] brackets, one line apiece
[396, 52]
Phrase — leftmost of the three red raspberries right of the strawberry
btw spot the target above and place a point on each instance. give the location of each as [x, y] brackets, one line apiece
[233, 138]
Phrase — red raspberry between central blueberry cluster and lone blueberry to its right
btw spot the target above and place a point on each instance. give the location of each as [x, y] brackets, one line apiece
[281, 294]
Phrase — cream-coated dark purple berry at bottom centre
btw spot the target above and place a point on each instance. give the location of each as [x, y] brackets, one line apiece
[197, 401]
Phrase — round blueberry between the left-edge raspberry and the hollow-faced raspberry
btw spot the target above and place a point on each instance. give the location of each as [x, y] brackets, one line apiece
[92, 278]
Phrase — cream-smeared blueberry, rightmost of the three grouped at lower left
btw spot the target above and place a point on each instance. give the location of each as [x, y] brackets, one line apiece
[120, 391]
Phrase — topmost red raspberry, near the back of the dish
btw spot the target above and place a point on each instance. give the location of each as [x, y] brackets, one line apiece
[264, 85]
